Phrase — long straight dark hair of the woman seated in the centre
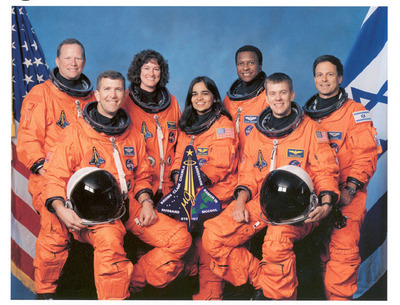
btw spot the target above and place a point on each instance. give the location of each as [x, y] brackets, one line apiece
[189, 115]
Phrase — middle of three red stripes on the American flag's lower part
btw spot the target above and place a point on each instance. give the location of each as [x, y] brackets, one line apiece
[24, 214]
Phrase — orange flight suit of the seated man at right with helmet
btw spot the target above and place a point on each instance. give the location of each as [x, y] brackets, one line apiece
[306, 146]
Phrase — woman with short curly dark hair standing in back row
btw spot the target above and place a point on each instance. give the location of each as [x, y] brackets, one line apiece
[155, 114]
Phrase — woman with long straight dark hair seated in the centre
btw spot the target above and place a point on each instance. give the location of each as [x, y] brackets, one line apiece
[207, 126]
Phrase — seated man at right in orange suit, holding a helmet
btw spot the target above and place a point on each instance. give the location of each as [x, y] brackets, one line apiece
[284, 136]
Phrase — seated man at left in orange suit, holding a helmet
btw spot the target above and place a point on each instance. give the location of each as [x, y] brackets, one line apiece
[107, 140]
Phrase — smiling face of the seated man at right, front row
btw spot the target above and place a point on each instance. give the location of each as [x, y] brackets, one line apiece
[279, 98]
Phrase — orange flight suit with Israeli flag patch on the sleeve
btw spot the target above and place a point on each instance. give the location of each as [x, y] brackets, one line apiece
[354, 139]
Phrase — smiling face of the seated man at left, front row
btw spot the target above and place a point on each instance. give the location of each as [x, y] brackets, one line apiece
[110, 96]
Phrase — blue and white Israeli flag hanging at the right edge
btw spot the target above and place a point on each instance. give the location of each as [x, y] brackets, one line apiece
[365, 81]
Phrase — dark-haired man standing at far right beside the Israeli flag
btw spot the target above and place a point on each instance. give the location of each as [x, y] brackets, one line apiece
[354, 139]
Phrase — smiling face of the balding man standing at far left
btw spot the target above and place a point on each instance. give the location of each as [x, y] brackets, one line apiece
[70, 62]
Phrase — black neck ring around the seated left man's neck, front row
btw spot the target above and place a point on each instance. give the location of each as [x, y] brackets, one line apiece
[125, 120]
